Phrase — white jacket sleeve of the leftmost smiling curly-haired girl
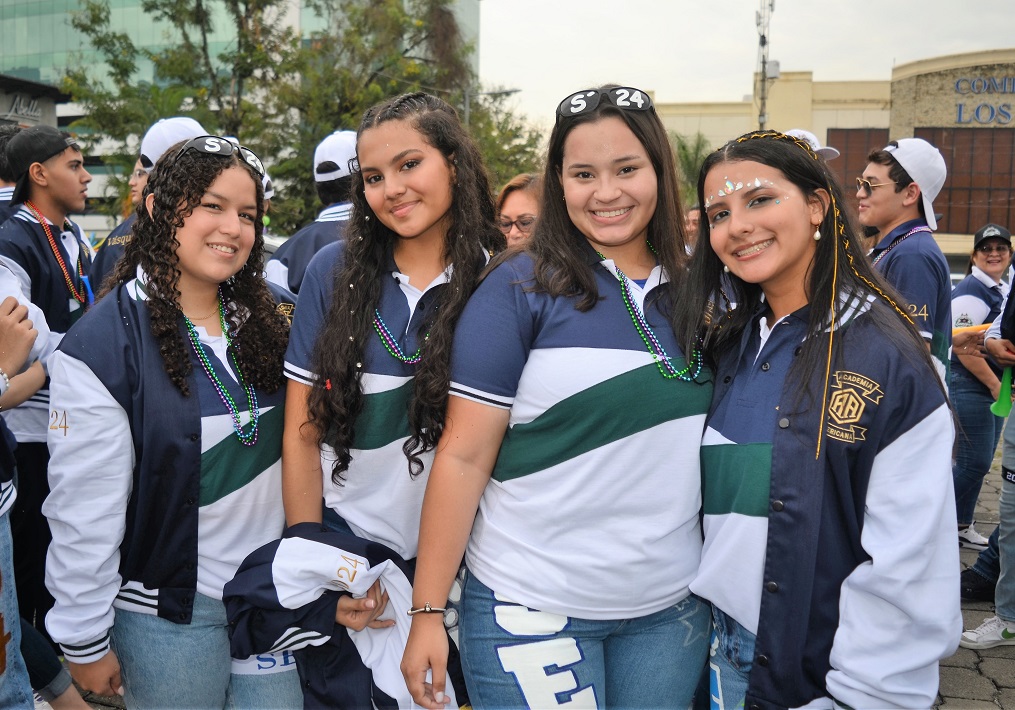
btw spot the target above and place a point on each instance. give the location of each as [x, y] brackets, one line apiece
[91, 472]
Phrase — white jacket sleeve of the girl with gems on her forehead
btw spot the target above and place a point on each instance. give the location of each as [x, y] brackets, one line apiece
[900, 613]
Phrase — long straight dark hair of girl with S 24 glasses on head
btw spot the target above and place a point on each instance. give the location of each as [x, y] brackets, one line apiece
[559, 249]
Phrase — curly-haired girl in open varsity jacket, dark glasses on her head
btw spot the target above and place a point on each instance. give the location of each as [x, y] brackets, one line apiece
[166, 440]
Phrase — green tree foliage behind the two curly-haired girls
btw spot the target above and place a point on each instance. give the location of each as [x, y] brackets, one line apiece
[279, 93]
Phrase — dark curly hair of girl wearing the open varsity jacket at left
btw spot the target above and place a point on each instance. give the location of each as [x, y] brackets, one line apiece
[178, 184]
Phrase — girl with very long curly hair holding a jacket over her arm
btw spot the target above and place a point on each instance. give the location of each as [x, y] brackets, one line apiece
[369, 359]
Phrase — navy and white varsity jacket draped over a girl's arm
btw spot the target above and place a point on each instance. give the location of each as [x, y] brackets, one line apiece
[285, 597]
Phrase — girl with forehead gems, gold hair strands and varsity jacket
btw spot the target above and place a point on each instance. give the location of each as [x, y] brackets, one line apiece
[830, 558]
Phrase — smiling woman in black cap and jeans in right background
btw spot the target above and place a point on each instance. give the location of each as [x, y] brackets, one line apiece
[975, 382]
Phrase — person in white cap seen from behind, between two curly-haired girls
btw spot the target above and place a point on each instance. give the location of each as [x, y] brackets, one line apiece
[334, 164]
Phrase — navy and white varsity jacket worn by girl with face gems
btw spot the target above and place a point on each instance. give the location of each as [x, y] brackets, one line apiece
[860, 592]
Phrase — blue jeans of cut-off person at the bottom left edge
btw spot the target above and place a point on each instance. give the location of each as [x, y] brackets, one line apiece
[15, 689]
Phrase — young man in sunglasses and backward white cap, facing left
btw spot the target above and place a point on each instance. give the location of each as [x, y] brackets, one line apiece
[896, 196]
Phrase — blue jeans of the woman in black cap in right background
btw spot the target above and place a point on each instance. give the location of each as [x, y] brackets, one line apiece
[976, 443]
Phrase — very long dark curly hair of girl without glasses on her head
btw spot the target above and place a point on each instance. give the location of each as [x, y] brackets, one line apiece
[470, 238]
